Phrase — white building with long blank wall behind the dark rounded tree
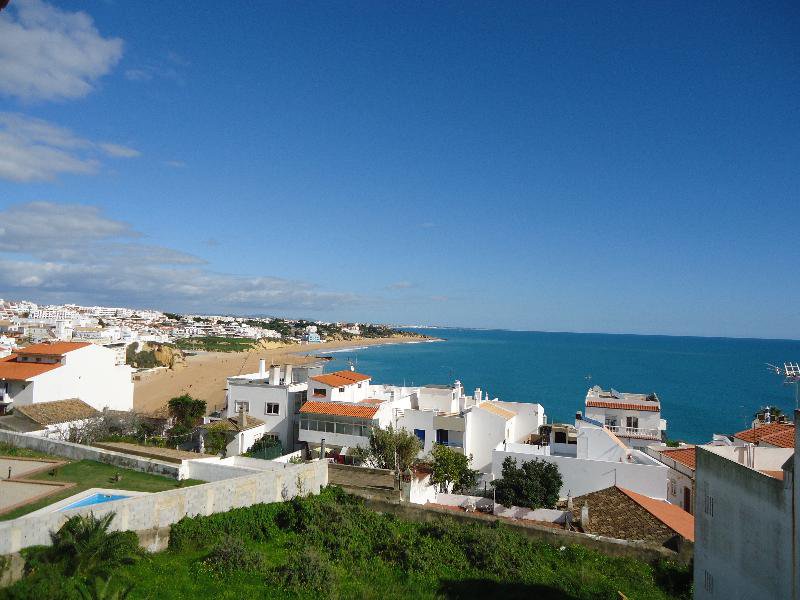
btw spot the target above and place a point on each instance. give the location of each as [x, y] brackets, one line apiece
[597, 460]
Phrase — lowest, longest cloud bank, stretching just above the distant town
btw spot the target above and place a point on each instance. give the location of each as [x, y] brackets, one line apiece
[102, 261]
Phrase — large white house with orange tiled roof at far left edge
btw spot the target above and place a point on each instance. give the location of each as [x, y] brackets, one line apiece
[65, 370]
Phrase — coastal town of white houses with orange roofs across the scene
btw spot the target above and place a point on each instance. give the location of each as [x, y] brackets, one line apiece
[617, 476]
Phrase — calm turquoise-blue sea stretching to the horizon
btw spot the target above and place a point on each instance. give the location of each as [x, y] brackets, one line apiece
[706, 385]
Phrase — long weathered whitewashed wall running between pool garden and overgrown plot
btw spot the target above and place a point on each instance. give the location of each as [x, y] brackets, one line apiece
[155, 512]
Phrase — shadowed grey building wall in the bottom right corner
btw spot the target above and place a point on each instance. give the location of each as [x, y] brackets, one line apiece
[743, 546]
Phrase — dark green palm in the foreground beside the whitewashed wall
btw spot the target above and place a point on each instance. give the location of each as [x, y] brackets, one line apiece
[85, 547]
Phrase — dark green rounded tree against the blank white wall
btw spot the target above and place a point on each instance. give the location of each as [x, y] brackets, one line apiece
[535, 484]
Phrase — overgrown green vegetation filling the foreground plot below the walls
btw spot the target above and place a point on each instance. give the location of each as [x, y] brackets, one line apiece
[332, 546]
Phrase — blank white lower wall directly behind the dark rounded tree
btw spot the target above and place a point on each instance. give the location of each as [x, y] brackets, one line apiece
[582, 476]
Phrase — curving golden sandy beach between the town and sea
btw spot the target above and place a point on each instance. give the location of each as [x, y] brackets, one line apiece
[203, 376]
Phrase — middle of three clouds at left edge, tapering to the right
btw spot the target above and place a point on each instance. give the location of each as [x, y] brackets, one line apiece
[36, 150]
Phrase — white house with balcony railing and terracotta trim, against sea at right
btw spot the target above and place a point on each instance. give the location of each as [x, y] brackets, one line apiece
[634, 418]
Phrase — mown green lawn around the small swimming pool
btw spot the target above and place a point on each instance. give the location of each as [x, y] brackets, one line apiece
[91, 474]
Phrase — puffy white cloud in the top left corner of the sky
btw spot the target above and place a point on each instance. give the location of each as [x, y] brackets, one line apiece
[50, 54]
